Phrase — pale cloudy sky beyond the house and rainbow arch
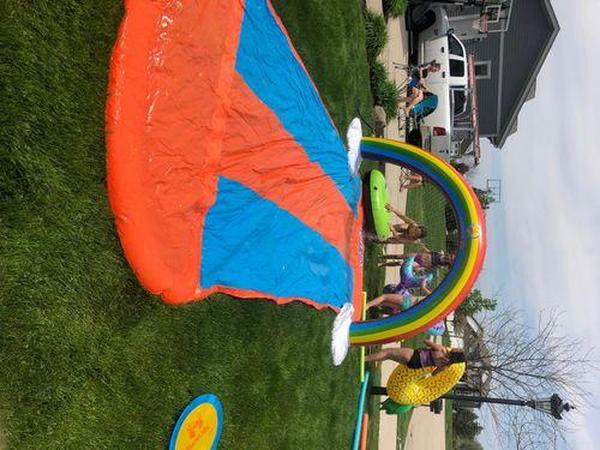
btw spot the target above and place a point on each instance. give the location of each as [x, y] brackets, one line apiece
[544, 235]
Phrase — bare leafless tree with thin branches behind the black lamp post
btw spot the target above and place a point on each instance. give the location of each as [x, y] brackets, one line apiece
[524, 362]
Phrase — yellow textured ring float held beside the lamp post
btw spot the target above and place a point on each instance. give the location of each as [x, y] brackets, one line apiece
[415, 386]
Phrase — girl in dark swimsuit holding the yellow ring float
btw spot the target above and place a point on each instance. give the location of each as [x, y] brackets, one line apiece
[433, 355]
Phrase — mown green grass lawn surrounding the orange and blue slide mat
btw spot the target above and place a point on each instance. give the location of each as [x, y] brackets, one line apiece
[88, 359]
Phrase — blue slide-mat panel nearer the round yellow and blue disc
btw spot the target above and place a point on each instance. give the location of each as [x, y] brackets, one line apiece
[264, 248]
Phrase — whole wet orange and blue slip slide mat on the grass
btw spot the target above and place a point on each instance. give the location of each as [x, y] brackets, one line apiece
[226, 172]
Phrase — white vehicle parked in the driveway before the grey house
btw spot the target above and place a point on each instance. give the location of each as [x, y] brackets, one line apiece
[450, 84]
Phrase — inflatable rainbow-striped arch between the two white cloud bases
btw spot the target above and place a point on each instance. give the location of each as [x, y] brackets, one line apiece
[469, 256]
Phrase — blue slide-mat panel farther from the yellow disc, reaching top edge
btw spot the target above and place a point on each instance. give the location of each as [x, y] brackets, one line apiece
[269, 66]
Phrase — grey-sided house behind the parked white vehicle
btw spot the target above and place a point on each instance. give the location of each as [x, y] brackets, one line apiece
[510, 40]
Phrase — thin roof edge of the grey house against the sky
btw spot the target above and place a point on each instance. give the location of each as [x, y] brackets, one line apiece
[528, 89]
